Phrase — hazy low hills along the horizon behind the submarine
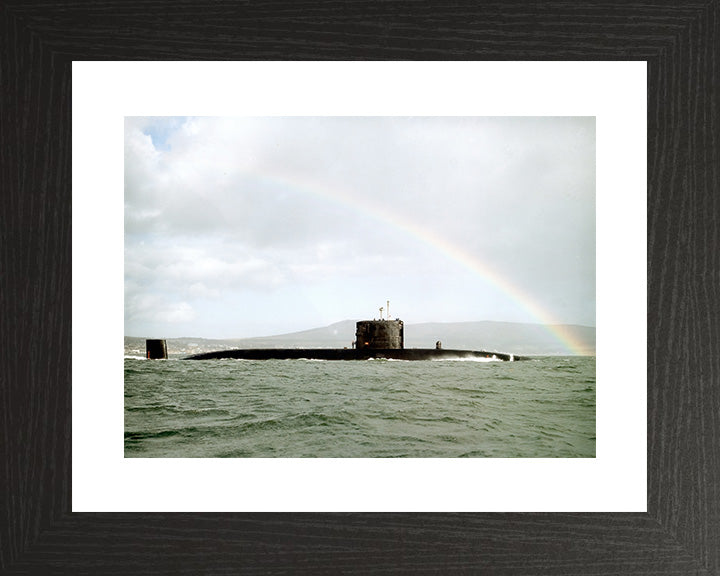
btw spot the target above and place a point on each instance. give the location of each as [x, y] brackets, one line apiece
[509, 337]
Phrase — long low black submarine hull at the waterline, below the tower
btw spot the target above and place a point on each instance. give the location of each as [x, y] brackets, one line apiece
[351, 354]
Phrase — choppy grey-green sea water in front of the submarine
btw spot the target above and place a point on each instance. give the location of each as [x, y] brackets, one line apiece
[543, 407]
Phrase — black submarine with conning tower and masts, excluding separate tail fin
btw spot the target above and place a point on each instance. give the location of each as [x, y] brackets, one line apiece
[374, 339]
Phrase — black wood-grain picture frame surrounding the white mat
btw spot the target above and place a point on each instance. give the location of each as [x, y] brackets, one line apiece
[680, 533]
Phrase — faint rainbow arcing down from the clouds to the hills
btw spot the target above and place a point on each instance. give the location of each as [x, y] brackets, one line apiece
[450, 250]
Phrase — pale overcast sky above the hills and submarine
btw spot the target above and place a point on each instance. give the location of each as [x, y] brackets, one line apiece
[238, 227]
